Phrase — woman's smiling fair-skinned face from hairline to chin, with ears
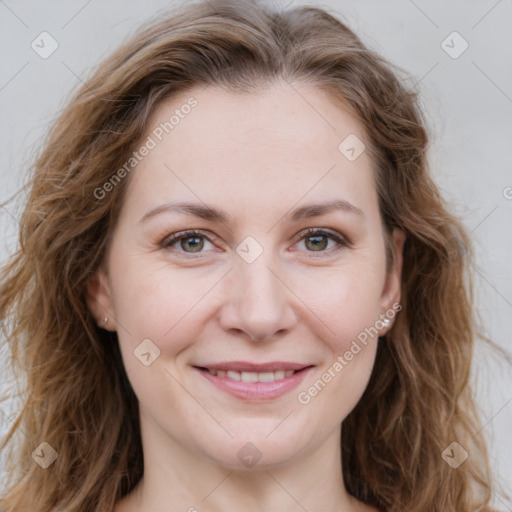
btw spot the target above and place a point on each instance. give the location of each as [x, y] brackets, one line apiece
[252, 292]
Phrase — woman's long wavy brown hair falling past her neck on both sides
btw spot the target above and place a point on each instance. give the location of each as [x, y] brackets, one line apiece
[76, 394]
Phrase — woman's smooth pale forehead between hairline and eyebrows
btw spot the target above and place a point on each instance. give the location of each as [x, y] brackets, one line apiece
[277, 143]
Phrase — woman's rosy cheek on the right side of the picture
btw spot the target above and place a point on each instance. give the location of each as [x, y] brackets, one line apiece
[349, 308]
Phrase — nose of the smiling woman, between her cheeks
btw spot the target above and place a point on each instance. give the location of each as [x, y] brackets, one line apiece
[257, 301]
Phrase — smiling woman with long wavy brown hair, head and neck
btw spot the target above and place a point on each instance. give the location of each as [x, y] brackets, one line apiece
[237, 286]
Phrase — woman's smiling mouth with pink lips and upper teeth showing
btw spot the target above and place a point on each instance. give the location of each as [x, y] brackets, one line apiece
[253, 382]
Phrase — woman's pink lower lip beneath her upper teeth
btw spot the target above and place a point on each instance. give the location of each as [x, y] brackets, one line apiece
[257, 391]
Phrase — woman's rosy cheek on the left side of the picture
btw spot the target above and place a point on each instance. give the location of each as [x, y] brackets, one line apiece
[162, 305]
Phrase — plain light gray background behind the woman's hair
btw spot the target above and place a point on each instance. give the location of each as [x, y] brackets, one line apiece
[468, 101]
